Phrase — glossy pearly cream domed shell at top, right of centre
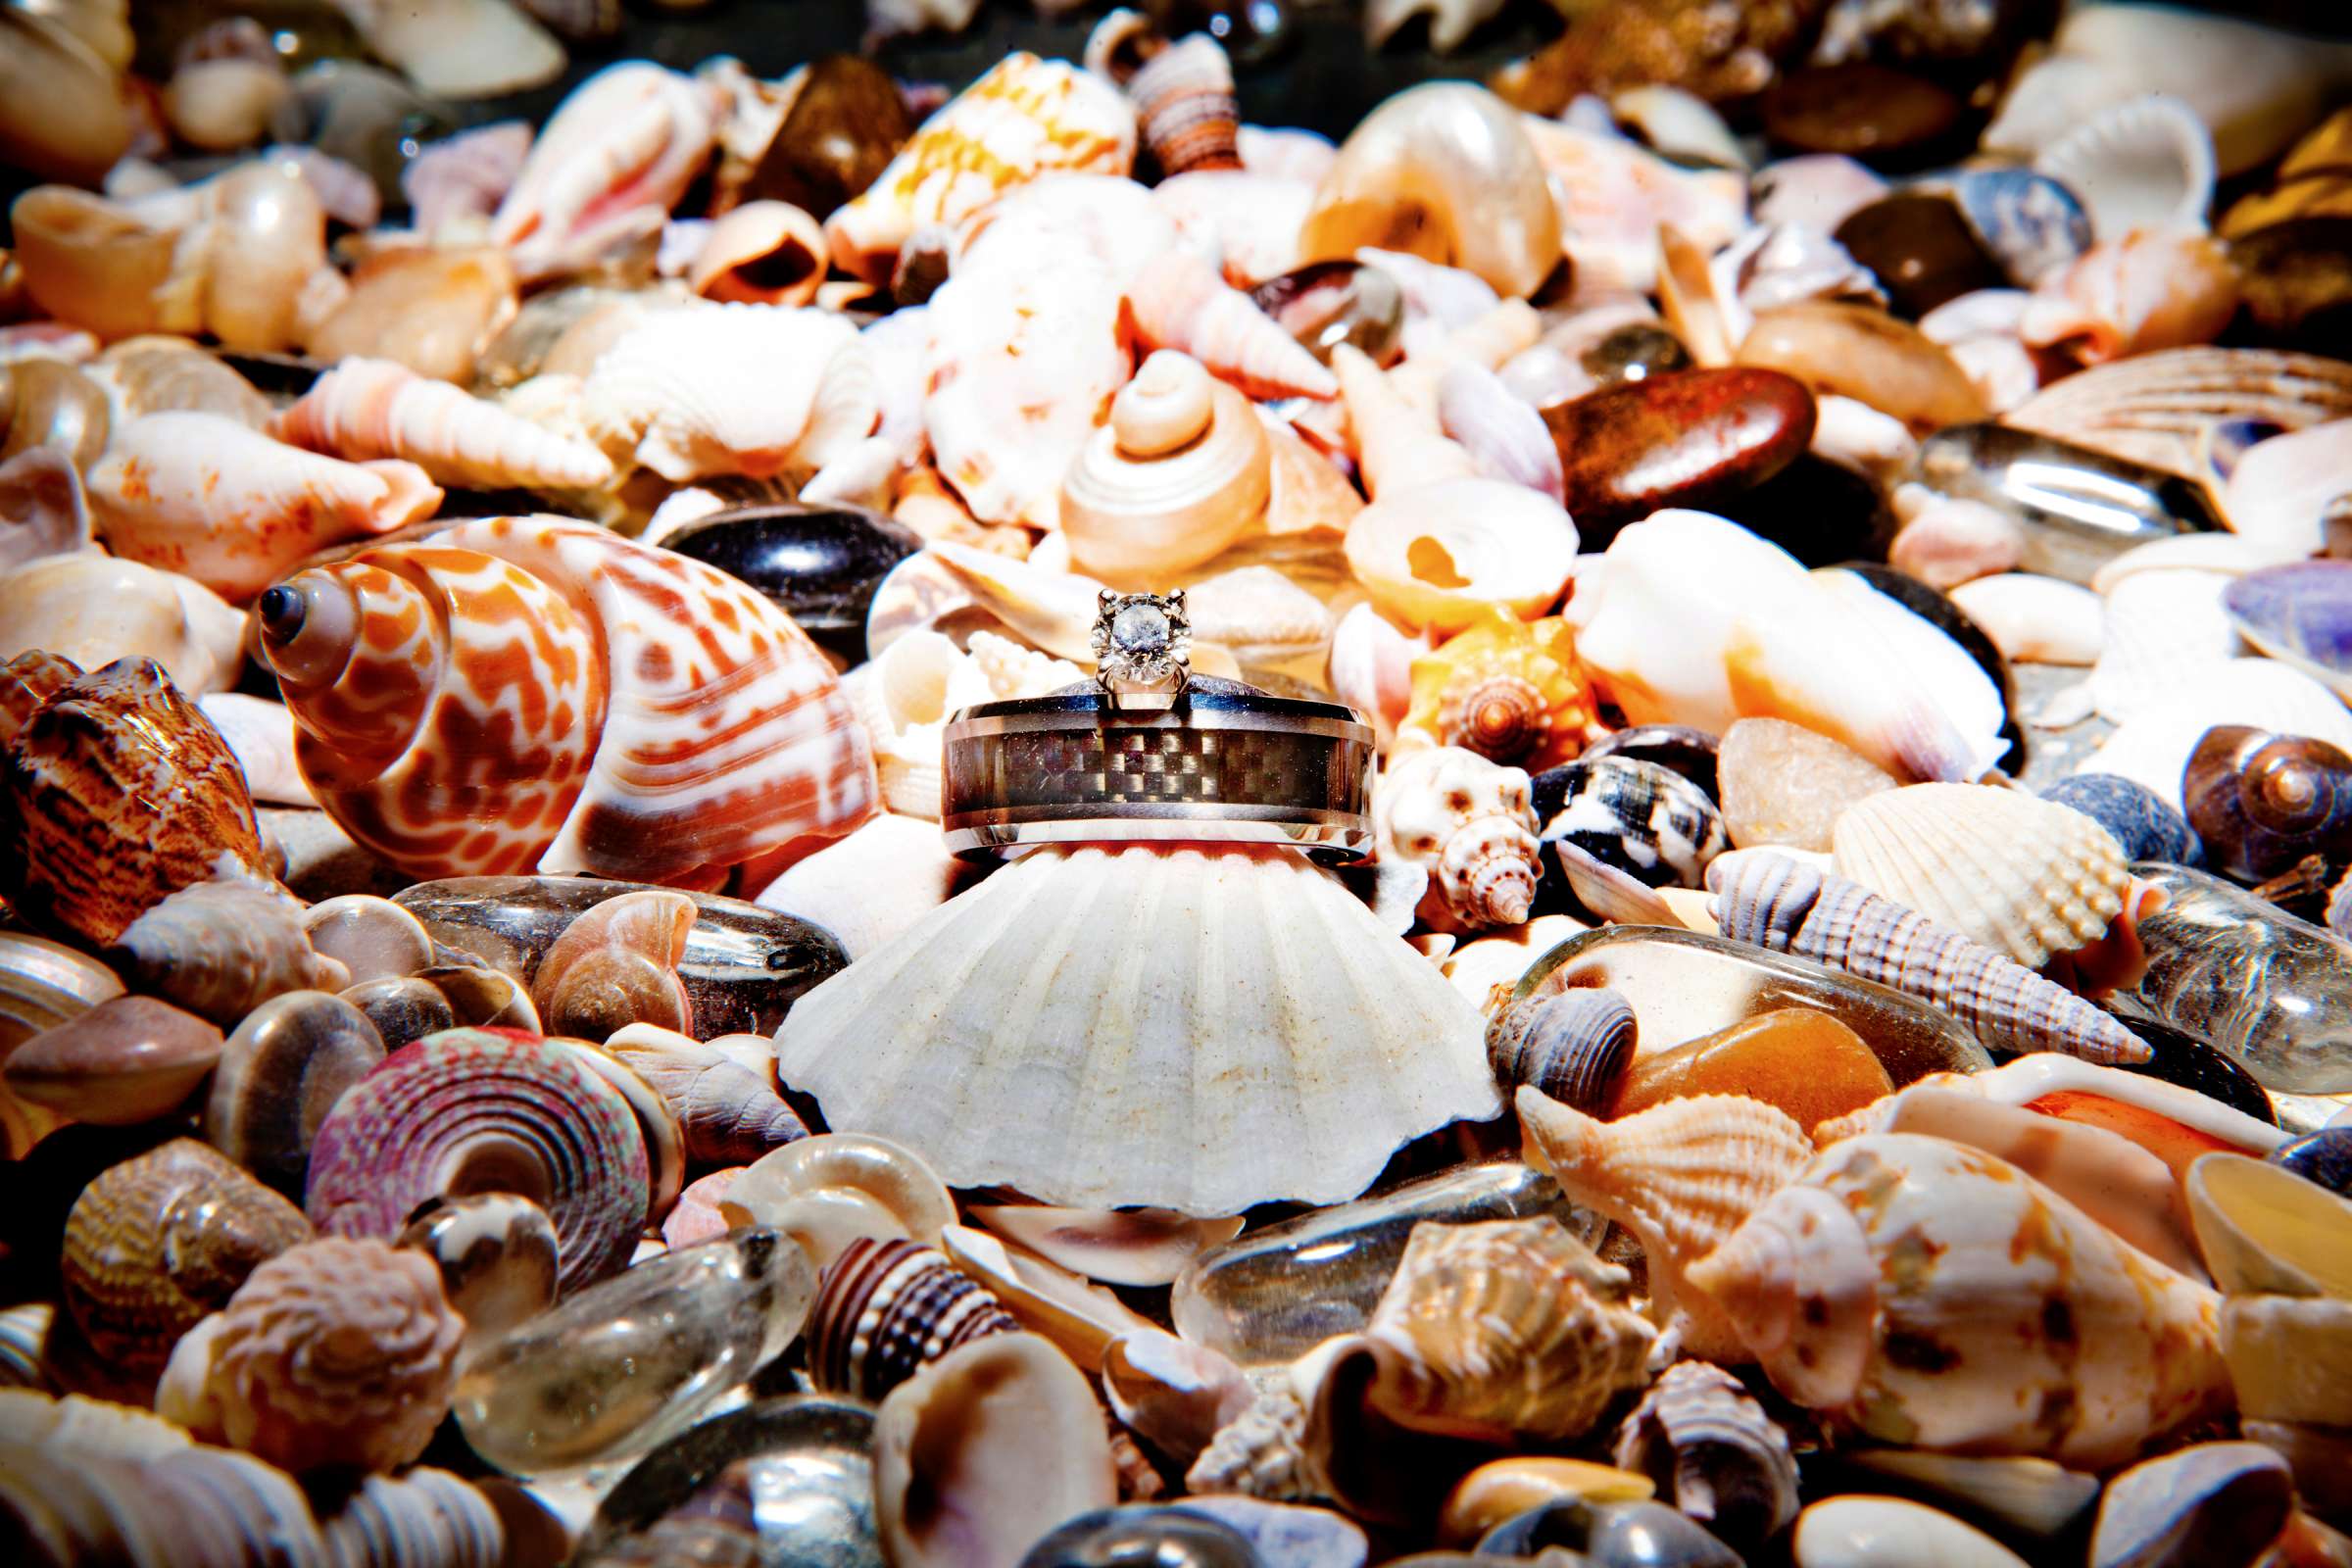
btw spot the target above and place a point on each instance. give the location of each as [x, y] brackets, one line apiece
[1448, 173]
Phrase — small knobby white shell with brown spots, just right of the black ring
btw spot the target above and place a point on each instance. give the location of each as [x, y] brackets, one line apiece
[1471, 824]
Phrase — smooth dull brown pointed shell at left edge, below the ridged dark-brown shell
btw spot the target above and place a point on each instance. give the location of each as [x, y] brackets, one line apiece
[121, 1064]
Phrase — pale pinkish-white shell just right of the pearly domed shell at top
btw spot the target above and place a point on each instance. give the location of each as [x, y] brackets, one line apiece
[1617, 199]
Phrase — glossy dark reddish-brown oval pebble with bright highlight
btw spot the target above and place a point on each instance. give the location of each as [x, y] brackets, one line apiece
[1688, 438]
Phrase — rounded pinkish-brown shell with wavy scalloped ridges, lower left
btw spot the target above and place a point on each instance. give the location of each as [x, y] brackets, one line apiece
[335, 1353]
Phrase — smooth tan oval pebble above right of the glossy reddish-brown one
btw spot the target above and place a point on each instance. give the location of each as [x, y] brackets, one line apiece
[1869, 356]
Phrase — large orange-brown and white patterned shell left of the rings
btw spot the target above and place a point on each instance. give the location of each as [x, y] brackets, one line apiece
[528, 692]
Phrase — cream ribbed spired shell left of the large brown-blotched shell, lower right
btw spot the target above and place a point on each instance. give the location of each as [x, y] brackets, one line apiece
[1681, 1177]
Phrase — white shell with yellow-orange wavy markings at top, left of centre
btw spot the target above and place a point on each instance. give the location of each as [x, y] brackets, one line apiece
[1024, 119]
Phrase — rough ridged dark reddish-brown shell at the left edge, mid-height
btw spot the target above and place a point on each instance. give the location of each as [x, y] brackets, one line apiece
[126, 796]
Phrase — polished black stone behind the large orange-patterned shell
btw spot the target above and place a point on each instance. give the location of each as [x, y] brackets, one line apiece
[817, 563]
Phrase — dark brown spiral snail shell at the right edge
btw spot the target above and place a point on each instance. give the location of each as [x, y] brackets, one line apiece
[2261, 803]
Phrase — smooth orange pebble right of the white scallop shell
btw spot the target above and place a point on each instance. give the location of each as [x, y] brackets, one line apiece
[1808, 1064]
